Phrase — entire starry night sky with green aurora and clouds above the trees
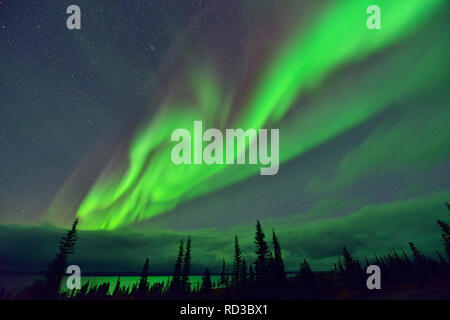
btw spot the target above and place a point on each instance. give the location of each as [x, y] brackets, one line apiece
[86, 117]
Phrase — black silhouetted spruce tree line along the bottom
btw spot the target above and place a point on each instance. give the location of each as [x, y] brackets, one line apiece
[264, 278]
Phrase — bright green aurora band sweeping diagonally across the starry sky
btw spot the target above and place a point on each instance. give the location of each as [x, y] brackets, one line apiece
[337, 38]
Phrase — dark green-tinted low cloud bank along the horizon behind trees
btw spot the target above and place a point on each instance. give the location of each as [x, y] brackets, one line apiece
[372, 229]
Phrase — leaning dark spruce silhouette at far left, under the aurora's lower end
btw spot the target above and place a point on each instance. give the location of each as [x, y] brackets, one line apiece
[56, 269]
